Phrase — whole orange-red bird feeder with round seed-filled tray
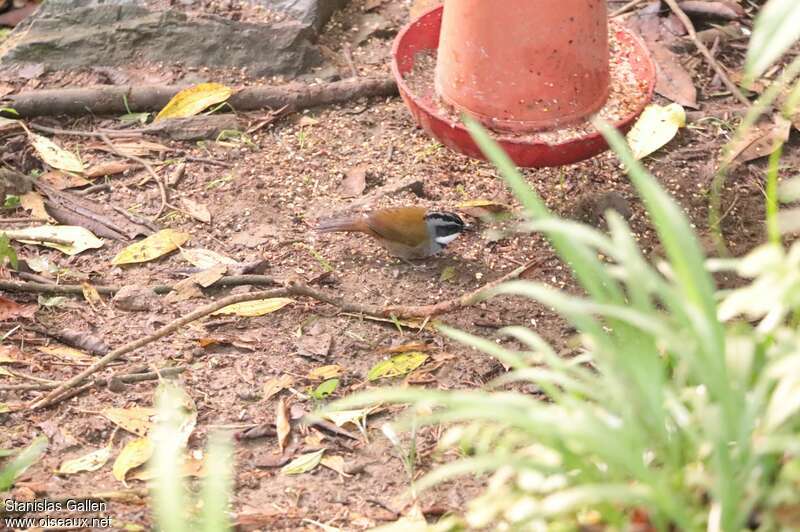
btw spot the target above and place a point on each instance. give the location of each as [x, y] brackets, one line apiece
[534, 72]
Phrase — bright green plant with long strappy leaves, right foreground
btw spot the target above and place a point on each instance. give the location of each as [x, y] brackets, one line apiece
[673, 412]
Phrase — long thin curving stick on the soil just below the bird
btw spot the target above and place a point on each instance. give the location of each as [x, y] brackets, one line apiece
[398, 311]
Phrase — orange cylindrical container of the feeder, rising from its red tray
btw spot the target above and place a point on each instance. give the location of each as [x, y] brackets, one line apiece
[524, 65]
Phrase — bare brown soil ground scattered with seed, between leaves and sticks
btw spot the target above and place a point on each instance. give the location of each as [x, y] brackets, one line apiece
[278, 181]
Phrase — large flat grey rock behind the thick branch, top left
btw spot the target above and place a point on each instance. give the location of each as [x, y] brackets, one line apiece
[70, 34]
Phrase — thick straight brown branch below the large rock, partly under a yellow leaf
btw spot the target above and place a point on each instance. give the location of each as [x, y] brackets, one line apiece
[110, 100]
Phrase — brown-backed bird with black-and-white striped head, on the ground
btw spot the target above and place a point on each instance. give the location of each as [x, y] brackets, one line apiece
[405, 232]
